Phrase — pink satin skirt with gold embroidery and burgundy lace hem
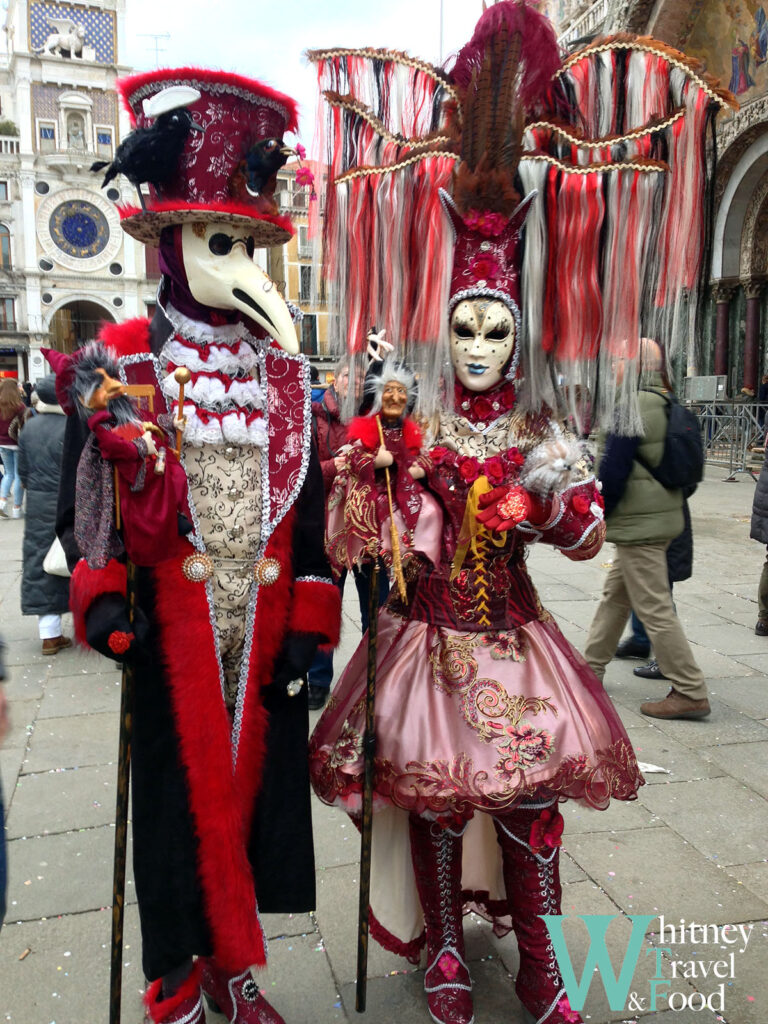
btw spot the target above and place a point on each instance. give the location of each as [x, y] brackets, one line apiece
[474, 722]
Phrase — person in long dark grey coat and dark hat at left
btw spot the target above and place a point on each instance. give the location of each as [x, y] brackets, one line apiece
[40, 448]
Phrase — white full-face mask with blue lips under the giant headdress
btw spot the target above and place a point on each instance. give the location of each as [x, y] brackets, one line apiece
[483, 339]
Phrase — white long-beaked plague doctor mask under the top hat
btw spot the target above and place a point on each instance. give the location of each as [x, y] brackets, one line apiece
[222, 275]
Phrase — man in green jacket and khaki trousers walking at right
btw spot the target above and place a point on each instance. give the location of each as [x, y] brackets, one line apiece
[643, 518]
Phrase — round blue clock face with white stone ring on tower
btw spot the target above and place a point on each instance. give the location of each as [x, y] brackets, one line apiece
[79, 230]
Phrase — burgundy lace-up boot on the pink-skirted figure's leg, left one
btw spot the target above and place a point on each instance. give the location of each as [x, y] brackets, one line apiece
[437, 855]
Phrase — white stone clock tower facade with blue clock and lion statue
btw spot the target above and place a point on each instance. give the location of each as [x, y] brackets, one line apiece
[66, 266]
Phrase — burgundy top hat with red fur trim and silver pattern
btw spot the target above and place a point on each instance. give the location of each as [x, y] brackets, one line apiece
[237, 113]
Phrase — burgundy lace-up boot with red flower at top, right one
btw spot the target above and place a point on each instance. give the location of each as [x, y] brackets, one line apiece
[530, 838]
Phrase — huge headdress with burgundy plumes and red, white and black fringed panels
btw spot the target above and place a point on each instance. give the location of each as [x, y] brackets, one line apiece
[612, 142]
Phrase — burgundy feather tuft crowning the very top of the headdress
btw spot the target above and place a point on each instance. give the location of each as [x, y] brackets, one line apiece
[539, 54]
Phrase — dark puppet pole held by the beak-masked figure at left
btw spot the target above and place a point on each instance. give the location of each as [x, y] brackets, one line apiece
[121, 816]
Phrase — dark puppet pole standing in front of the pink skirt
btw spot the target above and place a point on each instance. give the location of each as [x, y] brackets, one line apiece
[367, 821]
